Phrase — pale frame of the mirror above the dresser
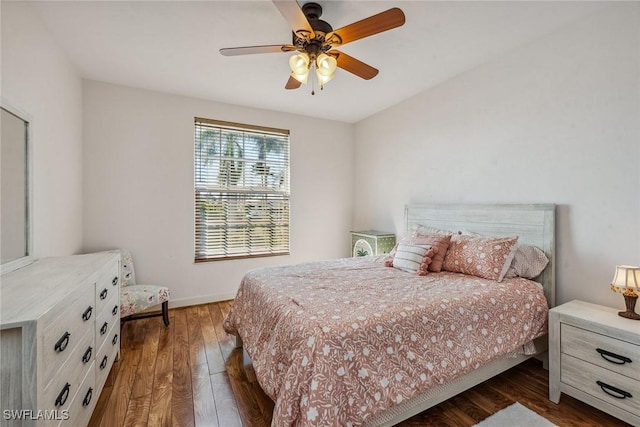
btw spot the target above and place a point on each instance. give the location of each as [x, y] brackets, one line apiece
[17, 263]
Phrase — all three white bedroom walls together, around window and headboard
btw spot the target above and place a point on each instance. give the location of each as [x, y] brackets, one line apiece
[555, 121]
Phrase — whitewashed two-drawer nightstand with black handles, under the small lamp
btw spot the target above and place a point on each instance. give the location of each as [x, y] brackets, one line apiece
[594, 356]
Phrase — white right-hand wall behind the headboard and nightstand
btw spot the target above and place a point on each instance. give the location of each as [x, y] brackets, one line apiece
[556, 121]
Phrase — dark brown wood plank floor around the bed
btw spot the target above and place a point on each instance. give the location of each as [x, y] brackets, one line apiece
[190, 374]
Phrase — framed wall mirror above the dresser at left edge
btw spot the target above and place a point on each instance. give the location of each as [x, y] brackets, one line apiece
[15, 203]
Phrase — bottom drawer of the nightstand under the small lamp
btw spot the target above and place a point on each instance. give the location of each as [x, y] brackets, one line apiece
[621, 391]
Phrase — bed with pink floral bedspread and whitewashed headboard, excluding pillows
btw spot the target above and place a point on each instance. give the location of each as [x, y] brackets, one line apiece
[354, 342]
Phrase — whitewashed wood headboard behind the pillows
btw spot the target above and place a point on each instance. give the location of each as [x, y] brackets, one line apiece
[532, 223]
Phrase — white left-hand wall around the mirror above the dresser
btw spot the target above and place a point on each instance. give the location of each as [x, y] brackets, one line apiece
[38, 79]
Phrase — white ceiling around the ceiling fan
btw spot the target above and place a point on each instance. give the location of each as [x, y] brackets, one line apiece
[172, 46]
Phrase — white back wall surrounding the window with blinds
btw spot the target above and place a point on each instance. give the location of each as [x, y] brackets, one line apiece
[138, 186]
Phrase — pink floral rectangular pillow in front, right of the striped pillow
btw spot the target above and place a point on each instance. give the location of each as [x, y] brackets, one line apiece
[486, 257]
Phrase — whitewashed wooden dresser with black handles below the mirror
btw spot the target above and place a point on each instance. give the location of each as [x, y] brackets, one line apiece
[59, 336]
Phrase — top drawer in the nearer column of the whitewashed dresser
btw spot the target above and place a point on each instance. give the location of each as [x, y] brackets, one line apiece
[62, 334]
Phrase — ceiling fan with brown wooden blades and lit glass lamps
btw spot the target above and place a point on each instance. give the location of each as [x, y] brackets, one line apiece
[315, 41]
